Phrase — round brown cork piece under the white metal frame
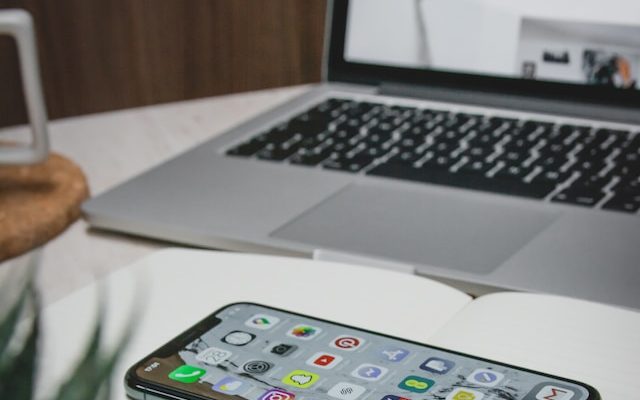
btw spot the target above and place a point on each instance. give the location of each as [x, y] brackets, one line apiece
[38, 202]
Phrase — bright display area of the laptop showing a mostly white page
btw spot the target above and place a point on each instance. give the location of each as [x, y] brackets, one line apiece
[582, 42]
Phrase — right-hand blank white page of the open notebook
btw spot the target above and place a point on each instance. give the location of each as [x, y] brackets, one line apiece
[589, 342]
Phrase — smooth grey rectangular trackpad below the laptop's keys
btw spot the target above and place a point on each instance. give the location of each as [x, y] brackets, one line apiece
[418, 226]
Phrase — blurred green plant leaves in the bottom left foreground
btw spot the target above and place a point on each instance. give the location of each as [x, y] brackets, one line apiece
[19, 333]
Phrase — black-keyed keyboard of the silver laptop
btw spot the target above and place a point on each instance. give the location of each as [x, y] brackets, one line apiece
[563, 163]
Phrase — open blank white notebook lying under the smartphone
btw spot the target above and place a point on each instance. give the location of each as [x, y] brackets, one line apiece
[588, 342]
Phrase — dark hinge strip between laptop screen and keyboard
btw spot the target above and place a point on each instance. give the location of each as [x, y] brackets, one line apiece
[514, 102]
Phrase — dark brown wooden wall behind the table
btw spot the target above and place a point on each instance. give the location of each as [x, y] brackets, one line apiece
[99, 55]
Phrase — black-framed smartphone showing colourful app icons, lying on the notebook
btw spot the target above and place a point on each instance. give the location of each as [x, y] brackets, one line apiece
[254, 352]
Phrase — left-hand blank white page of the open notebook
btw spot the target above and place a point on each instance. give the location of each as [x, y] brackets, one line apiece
[183, 286]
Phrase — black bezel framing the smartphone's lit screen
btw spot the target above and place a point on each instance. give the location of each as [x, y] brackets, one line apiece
[134, 382]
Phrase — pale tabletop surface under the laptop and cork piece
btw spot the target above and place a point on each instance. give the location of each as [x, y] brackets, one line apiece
[112, 147]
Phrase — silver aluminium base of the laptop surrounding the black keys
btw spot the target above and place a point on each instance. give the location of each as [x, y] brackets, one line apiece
[478, 241]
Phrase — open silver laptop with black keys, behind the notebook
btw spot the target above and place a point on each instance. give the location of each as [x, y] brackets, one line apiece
[494, 145]
